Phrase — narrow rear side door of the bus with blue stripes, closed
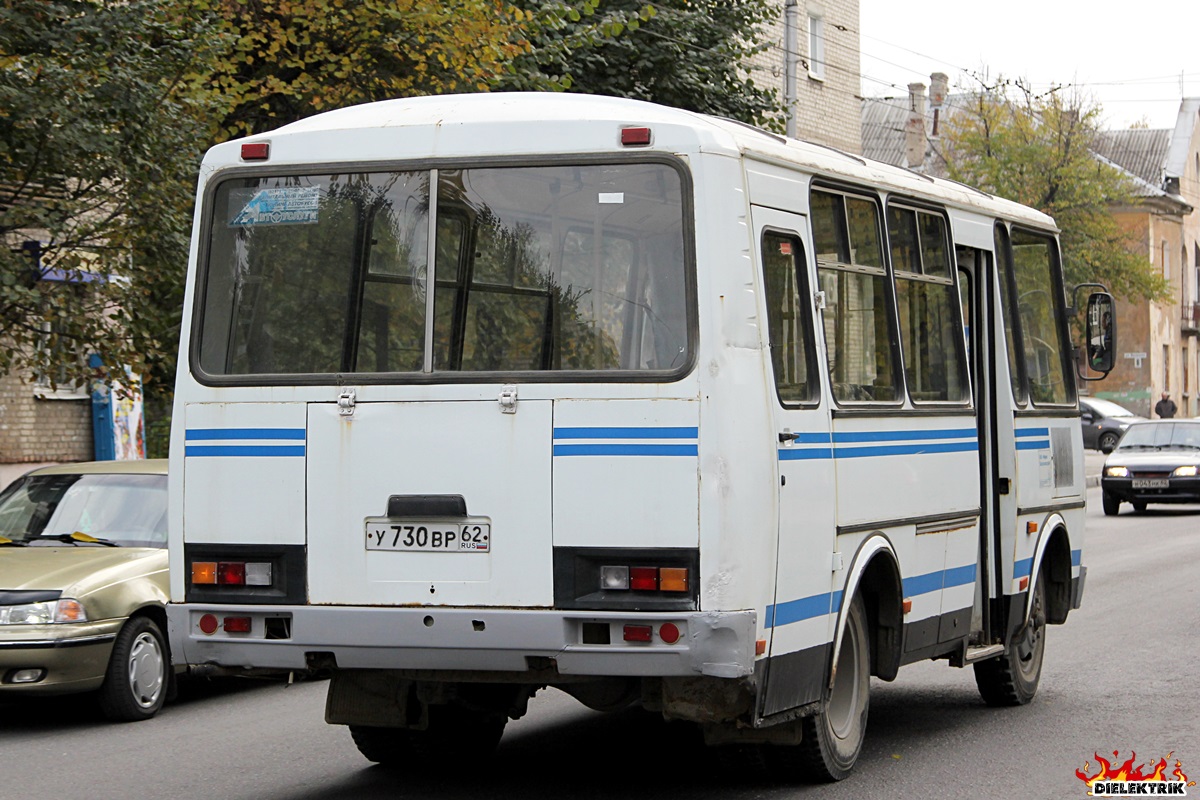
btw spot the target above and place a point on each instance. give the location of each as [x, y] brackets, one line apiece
[799, 619]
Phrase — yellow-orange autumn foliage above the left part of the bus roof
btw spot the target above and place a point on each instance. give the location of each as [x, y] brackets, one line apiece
[291, 59]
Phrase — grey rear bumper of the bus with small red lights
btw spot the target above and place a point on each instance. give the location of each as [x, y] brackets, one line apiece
[719, 645]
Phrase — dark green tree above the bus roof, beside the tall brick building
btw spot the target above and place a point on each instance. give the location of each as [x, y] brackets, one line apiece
[683, 53]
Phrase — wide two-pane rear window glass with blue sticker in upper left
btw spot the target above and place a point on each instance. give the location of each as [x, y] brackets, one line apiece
[536, 269]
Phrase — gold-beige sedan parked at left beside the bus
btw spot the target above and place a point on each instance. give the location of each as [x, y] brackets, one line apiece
[83, 586]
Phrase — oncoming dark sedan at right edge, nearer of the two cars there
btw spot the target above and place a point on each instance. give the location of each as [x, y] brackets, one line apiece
[1156, 462]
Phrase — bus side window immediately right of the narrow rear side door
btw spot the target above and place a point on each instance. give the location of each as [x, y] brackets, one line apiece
[857, 324]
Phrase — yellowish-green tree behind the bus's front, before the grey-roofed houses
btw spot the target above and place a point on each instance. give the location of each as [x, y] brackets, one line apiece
[1037, 151]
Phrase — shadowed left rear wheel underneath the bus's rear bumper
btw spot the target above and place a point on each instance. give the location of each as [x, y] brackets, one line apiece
[453, 732]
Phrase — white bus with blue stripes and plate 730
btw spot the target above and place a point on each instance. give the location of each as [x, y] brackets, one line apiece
[482, 395]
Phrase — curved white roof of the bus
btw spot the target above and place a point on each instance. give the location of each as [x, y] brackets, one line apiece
[454, 127]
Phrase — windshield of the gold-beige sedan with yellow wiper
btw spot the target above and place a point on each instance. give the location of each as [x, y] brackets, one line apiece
[129, 510]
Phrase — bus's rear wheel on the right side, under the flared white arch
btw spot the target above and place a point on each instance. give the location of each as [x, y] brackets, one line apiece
[832, 739]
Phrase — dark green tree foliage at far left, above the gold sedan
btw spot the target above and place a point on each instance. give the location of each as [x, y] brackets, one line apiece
[99, 147]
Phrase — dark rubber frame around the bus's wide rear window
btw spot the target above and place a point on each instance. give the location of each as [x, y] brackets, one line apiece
[691, 268]
